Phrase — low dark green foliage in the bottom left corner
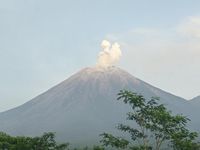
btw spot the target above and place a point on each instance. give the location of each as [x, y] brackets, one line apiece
[45, 142]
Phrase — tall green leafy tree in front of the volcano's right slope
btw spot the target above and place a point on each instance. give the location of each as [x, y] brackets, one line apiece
[155, 123]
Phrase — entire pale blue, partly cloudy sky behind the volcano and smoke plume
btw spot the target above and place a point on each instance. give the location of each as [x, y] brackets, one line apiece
[43, 42]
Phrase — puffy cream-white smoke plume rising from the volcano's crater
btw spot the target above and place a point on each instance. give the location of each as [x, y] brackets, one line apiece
[109, 55]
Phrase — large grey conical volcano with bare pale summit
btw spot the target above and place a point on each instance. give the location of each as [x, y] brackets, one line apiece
[83, 106]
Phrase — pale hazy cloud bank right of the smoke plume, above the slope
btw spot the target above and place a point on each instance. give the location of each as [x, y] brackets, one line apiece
[168, 58]
